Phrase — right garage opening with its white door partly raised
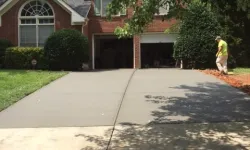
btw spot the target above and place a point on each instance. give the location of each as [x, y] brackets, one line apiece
[157, 50]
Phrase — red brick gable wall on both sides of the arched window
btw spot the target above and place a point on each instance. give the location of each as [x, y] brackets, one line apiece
[9, 28]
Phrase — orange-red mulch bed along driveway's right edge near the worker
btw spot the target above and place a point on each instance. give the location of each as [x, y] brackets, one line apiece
[241, 82]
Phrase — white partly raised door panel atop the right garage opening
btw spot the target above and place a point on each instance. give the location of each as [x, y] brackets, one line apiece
[158, 38]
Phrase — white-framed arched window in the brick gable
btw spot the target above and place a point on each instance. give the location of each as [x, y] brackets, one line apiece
[36, 23]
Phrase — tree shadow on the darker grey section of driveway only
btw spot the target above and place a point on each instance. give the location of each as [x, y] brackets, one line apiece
[203, 103]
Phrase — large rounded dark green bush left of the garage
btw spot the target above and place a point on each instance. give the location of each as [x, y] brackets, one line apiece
[66, 49]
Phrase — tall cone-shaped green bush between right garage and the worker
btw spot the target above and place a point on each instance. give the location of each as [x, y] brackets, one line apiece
[196, 41]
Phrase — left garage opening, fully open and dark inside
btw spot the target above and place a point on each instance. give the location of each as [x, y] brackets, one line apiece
[113, 53]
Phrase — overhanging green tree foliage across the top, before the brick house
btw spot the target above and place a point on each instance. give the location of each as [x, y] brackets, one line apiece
[144, 11]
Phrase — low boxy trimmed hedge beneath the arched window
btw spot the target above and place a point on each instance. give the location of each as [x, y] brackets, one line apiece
[21, 57]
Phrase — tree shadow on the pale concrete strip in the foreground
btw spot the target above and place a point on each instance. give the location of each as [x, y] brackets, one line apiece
[220, 136]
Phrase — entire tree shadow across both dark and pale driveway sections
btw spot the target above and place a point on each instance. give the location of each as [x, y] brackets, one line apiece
[177, 124]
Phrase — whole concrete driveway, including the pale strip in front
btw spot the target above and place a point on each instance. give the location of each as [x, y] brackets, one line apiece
[122, 109]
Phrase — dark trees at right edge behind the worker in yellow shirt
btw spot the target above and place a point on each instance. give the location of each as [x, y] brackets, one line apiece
[234, 16]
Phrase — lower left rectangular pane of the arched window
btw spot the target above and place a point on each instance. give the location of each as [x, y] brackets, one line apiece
[28, 35]
